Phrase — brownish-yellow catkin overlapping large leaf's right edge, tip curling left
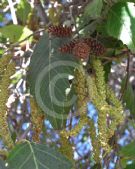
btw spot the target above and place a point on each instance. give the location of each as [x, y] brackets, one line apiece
[79, 84]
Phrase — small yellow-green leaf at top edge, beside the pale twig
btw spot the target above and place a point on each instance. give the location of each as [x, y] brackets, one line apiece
[23, 9]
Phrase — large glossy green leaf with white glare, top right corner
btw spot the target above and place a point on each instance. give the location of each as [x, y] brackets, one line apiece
[121, 23]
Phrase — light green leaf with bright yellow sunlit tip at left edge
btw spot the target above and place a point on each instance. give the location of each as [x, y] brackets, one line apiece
[15, 33]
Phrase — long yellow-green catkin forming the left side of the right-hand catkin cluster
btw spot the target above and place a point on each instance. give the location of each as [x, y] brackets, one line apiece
[102, 108]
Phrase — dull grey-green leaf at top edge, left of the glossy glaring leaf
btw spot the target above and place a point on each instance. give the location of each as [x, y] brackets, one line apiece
[93, 9]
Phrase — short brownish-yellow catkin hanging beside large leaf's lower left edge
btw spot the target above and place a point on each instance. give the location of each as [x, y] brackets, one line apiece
[37, 119]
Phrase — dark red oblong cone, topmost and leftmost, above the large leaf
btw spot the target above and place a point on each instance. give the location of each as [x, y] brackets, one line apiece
[60, 31]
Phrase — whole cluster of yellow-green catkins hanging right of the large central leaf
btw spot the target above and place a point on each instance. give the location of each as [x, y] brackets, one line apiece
[106, 103]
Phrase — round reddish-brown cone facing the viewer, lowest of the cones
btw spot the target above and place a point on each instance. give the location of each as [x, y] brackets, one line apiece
[81, 50]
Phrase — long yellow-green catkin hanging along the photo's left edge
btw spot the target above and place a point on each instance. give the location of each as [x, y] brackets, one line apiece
[4, 84]
